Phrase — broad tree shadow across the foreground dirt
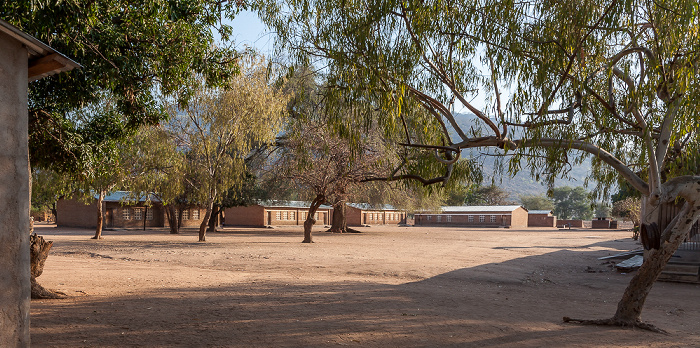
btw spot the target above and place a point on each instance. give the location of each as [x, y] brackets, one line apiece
[516, 303]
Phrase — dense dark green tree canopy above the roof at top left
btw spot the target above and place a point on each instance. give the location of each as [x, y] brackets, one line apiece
[131, 52]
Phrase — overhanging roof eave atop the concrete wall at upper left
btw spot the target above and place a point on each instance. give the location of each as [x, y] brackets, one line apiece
[43, 60]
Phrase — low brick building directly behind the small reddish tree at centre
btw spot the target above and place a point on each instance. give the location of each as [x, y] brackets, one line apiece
[275, 213]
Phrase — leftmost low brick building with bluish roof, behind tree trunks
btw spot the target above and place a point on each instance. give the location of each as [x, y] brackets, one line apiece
[121, 211]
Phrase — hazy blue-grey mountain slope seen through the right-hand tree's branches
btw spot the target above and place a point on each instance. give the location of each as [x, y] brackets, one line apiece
[522, 183]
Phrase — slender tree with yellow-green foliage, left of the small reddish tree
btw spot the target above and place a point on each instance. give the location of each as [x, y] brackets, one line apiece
[218, 129]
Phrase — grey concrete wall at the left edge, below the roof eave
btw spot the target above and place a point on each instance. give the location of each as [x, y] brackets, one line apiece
[14, 195]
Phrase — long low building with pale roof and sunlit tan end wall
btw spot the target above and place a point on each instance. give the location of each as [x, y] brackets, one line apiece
[508, 216]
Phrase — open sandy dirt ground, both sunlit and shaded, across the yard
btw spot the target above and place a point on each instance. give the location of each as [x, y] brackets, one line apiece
[385, 287]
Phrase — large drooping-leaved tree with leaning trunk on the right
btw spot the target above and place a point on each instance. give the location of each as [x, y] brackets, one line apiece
[616, 80]
